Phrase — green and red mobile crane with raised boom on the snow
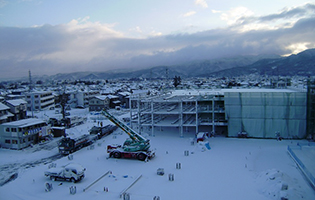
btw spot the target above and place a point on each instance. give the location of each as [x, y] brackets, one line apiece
[136, 146]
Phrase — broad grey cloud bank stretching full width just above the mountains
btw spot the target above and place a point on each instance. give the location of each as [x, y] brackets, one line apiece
[81, 45]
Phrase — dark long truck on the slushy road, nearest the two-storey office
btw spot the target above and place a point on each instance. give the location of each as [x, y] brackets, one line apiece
[69, 145]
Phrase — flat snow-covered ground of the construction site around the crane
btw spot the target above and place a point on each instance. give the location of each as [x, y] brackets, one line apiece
[232, 169]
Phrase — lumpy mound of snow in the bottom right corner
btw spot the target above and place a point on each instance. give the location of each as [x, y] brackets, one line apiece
[275, 184]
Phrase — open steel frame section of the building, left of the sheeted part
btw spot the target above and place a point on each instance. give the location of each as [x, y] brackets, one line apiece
[187, 113]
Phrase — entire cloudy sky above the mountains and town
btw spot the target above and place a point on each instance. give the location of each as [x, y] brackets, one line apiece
[62, 36]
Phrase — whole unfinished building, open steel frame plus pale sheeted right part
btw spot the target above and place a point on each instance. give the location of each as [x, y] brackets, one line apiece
[259, 113]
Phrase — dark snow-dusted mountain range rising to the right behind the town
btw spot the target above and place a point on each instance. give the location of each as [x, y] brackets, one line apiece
[274, 65]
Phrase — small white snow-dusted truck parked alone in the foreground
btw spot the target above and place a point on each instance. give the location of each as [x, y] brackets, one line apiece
[71, 172]
